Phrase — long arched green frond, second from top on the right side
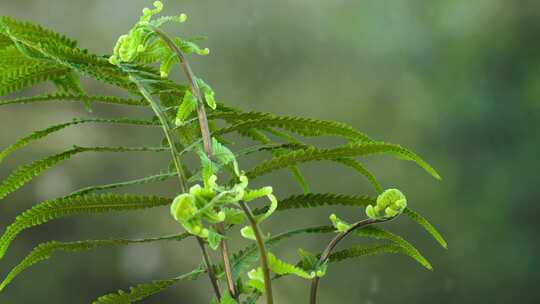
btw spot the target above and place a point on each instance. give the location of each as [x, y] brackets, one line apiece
[351, 150]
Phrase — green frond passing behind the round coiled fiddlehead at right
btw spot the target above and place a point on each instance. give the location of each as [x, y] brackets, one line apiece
[314, 200]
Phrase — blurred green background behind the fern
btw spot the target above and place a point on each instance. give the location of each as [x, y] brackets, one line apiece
[456, 81]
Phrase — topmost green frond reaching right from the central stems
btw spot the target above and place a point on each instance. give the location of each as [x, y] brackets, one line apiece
[302, 126]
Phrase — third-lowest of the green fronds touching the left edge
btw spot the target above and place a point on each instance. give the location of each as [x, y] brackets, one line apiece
[22, 175]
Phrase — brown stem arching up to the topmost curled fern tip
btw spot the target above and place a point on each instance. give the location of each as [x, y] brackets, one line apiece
[205, 134]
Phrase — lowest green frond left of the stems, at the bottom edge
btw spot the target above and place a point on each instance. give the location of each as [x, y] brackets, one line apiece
[145, 290]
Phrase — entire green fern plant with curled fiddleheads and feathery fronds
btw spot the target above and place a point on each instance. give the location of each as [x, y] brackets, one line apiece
[214, 194]
